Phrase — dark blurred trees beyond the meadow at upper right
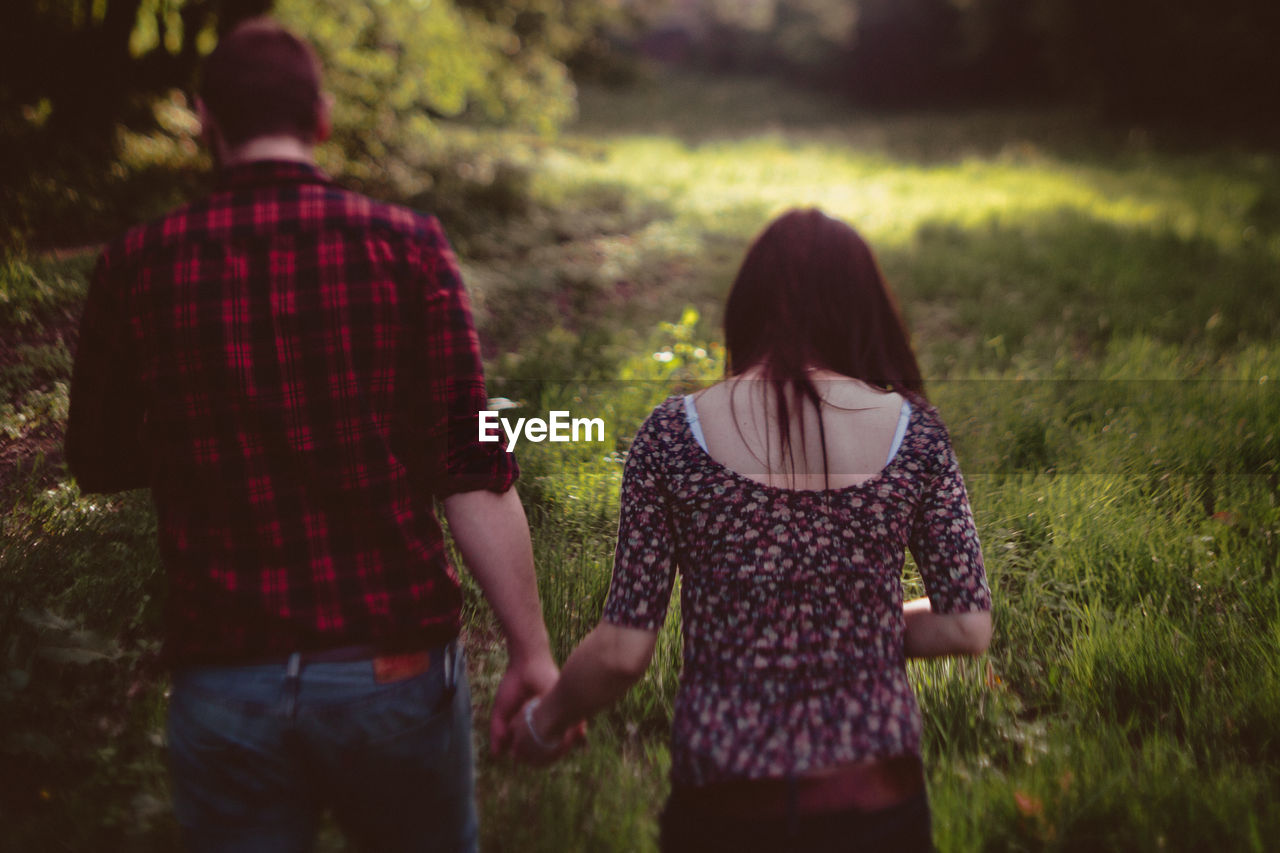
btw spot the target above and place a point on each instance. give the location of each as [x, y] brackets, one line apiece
[1136, 58]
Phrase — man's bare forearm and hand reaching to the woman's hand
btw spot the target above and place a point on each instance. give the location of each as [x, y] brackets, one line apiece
[492, 533]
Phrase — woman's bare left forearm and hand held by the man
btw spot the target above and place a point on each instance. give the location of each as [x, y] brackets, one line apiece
[600, 672]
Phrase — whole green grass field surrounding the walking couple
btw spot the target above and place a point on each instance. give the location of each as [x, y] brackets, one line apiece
[1098, 317]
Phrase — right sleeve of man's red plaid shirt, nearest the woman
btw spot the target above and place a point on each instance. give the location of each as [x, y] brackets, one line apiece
[455, 385]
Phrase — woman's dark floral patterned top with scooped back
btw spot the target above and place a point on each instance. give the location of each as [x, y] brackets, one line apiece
[792, 600]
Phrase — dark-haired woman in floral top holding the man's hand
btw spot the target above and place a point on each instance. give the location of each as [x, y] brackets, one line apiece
[788, 496]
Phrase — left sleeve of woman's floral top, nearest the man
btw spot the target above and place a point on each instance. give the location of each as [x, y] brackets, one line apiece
[644, 564]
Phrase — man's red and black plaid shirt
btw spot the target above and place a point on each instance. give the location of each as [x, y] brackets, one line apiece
[294, 371]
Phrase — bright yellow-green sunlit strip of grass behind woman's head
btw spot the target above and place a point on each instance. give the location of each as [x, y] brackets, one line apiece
[890, 200]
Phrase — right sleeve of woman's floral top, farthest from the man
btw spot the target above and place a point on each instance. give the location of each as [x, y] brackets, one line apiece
[945, 540]
